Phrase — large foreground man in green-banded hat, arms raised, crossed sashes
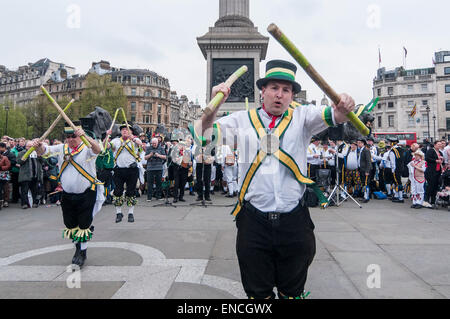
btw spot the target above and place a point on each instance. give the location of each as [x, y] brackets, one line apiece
[271, 217]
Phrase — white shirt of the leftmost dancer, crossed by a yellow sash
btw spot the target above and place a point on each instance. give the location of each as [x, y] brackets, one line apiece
[71, 180]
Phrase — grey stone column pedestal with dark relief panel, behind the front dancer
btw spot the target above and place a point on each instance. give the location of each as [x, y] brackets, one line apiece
[232, 42]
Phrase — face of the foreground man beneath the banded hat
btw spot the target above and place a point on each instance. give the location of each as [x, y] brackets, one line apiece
[277, 95]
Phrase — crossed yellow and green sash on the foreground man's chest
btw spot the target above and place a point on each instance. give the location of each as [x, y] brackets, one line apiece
[280, 154]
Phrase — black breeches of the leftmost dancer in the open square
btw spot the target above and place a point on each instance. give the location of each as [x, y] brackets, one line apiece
[77, 209]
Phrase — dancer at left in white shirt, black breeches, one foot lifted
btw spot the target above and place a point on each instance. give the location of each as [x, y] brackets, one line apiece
[83, 194]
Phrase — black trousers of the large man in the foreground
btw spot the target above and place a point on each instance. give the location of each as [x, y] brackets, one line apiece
[274, 254]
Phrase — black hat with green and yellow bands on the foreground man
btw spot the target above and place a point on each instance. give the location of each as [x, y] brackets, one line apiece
[280, 70]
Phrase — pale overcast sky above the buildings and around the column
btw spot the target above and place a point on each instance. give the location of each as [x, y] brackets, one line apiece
[339, 38]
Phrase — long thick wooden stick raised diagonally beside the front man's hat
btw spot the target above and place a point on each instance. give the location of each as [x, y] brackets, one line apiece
[314, 75]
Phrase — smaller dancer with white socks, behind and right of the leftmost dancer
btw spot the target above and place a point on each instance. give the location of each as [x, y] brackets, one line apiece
[126, 171]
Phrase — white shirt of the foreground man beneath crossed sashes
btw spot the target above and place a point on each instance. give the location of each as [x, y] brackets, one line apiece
[273, 188]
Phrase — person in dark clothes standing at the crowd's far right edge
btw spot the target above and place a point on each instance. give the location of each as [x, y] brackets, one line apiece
[434, 159]
